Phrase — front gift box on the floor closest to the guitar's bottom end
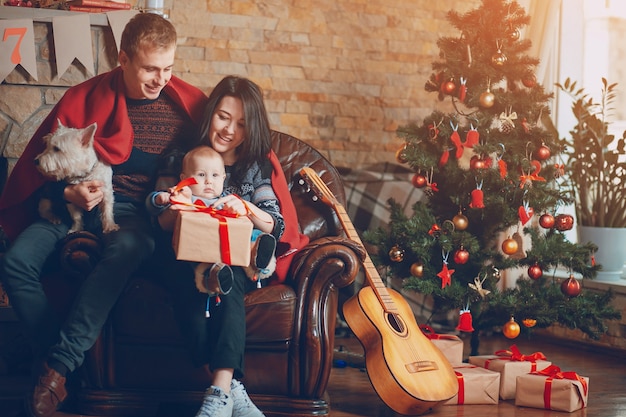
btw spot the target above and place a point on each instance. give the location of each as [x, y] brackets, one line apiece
[476, 386]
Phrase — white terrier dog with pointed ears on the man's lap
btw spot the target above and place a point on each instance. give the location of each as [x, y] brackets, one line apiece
[70, 156]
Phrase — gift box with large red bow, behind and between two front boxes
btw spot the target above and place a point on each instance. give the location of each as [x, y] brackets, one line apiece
[510, 364]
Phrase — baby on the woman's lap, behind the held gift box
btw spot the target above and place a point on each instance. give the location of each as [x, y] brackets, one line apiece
[206, 166]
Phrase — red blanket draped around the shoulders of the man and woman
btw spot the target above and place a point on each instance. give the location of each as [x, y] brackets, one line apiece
[101, 99]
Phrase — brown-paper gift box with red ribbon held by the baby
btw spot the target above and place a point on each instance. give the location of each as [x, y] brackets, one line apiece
[202, 237]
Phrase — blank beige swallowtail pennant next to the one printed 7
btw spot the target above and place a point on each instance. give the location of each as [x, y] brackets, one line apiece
[72, 39]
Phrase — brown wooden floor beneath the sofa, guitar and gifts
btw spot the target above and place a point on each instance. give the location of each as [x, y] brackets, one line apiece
[351, 393]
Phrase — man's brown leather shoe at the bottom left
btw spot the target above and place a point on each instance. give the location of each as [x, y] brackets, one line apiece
[48, 394]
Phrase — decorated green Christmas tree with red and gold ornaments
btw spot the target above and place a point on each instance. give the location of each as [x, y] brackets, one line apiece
[492, 174]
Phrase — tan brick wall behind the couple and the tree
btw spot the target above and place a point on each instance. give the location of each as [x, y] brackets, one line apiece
[341, 75]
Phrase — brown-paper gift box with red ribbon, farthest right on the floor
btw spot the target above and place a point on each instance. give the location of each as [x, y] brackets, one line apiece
[552, 389]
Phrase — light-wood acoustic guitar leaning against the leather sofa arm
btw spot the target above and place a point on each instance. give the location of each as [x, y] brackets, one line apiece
[408, 372]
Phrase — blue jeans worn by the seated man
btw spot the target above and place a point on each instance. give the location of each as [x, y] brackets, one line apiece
[33, 252]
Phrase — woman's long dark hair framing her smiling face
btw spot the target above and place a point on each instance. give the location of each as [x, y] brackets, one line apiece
[256, 145]
